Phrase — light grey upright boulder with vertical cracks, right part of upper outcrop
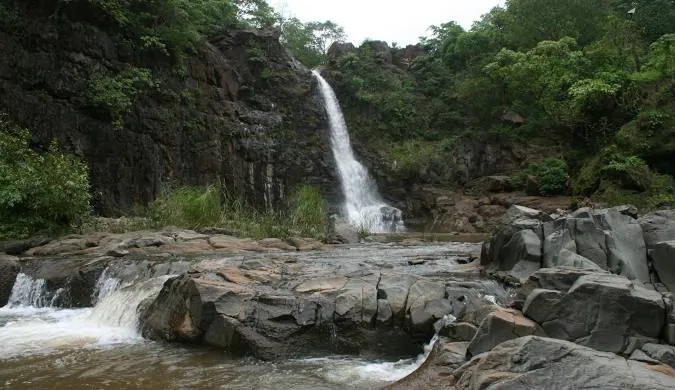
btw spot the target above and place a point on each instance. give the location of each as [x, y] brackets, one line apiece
[605, 238]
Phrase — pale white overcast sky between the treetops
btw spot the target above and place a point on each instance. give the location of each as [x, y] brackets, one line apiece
[397, 21]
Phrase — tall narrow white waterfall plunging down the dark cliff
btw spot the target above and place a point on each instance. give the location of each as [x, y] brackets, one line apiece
[363, 206]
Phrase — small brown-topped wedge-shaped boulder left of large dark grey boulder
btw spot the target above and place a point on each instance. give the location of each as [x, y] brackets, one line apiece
[498, 327]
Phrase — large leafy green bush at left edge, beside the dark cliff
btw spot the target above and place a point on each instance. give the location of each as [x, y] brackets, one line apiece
[39, 192]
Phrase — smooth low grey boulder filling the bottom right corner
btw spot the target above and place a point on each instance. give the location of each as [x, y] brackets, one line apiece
[540, 363]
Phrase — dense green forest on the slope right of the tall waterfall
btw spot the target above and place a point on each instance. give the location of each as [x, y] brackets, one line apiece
[592, 80]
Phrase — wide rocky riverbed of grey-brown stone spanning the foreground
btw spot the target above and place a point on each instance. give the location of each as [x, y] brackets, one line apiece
[576, 300]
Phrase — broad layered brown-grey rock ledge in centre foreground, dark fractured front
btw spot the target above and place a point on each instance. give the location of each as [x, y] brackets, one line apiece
[278, 306]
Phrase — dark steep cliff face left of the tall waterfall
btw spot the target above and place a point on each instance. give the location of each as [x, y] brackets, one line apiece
[242, 112]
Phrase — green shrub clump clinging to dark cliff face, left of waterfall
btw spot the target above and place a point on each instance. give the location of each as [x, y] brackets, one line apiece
[117, 94]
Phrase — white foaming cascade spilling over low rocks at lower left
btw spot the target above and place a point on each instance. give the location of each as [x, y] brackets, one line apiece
[28, 327]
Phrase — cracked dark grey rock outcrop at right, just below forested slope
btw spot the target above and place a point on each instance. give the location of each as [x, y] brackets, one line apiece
[607, 239]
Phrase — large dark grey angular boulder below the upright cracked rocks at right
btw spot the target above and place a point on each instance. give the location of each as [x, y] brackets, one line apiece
[601, 311]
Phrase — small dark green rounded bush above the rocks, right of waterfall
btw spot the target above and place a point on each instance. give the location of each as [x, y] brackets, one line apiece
[550, 176]
